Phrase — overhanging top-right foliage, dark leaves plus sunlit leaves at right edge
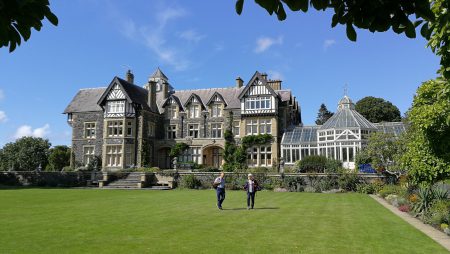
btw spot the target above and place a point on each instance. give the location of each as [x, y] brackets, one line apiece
[379, 16]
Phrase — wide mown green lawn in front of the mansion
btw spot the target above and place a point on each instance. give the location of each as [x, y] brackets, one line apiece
[125, 221]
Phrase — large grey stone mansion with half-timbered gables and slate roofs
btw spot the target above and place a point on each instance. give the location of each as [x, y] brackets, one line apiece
[128, 125]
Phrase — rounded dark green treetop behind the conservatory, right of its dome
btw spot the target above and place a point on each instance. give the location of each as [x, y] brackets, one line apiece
[378, 110]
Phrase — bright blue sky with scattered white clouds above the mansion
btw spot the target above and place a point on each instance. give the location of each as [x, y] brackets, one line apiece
[198, 44]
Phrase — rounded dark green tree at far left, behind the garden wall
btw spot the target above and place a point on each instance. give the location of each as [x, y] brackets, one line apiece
[27, 153]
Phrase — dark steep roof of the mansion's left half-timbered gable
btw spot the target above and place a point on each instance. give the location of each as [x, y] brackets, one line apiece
[133, 93]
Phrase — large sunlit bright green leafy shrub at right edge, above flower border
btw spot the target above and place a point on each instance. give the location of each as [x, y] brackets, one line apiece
[427, 155]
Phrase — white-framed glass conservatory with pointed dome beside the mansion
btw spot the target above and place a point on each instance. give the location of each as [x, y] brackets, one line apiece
[341, 137]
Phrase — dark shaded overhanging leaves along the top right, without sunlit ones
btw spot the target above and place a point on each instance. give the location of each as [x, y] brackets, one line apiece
[375, 15]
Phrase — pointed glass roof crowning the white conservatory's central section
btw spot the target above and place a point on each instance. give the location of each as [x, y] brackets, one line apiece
[347, 117]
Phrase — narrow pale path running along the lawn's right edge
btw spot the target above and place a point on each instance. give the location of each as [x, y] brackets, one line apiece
[428, 230]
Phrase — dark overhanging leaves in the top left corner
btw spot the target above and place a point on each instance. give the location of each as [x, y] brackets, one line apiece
[17, 18]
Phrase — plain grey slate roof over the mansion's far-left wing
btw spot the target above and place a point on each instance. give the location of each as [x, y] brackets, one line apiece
[85, 101]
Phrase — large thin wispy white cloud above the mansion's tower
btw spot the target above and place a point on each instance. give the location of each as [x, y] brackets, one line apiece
[154, 36]
